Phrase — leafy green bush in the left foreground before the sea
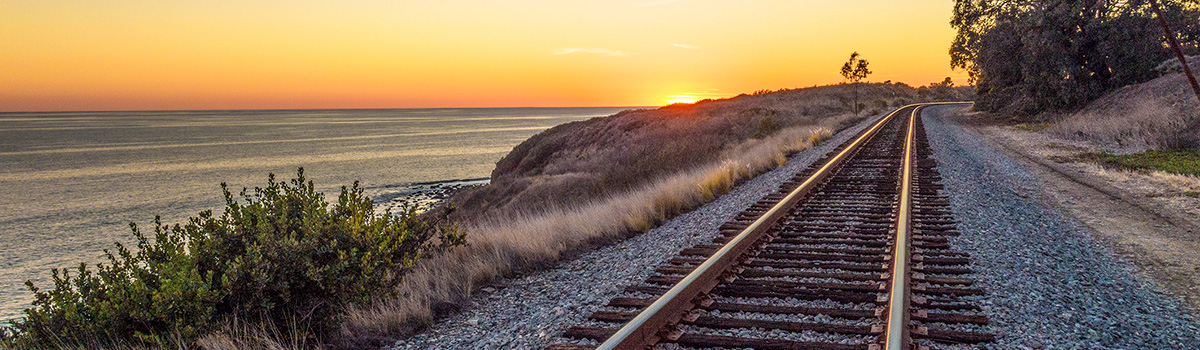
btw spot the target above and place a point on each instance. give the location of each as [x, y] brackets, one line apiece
[285, 257]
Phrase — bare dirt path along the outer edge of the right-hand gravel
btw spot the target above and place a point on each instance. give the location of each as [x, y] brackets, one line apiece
[1136, 214]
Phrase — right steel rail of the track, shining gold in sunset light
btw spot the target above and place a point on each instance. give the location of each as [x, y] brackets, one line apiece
[898, 337]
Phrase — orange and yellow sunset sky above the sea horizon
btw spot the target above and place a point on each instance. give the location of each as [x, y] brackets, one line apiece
[247, 55]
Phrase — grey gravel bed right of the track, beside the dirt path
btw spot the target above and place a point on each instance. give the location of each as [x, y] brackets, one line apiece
[1053, 283]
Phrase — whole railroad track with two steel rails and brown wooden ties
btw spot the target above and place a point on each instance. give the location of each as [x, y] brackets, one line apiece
[851, 254]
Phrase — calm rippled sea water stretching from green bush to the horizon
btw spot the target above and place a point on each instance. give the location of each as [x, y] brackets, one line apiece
[71, 183]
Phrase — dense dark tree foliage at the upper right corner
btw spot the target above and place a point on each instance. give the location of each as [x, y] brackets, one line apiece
[1033, 56]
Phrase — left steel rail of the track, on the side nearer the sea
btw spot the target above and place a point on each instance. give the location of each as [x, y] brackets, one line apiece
[643, 330]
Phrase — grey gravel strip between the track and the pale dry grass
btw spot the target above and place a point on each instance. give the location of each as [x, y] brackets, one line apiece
[531, 312]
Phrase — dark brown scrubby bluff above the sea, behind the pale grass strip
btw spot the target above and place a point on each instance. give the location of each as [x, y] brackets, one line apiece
[577, 164]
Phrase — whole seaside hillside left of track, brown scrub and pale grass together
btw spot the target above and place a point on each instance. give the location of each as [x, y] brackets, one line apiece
[580, 185]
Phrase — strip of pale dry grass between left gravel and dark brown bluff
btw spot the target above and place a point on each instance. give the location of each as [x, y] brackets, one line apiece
[505, 246]
